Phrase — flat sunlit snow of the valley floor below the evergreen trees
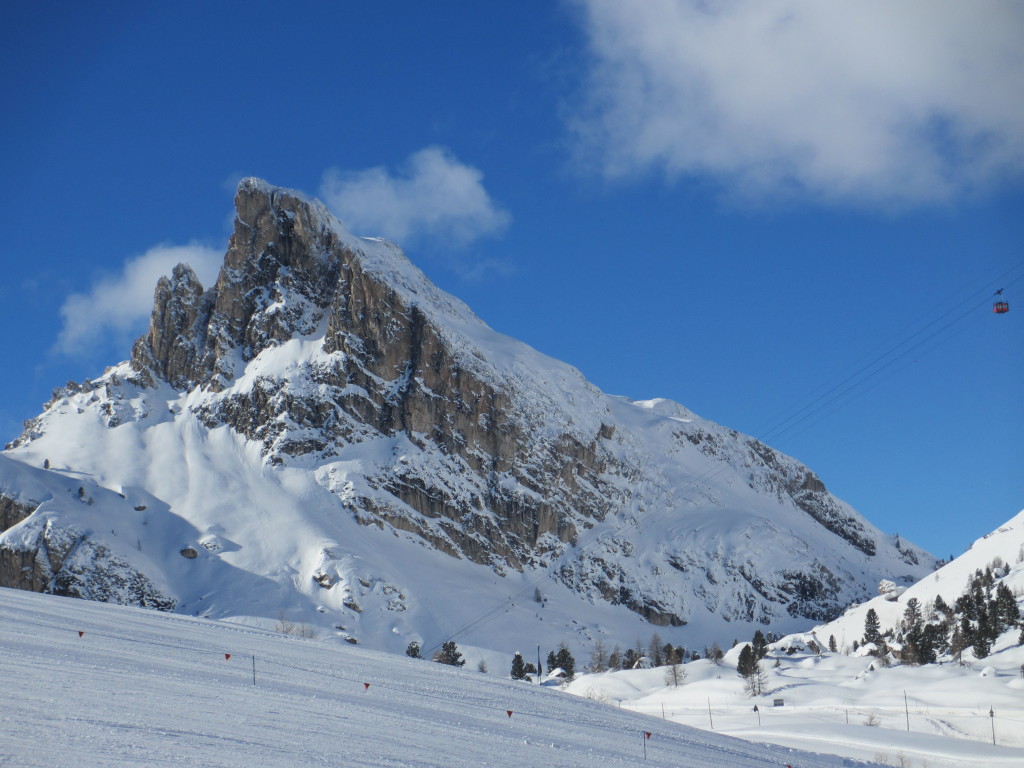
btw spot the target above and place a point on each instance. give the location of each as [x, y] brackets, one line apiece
[838, 704]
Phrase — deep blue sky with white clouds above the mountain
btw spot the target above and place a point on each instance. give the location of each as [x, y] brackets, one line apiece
[736, 205]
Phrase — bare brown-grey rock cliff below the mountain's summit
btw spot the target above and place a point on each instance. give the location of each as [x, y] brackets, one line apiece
[386, 369]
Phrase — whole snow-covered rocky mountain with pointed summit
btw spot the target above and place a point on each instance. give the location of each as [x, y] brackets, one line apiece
[325, 438]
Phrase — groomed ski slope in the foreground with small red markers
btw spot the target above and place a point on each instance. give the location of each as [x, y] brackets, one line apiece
[144, 689]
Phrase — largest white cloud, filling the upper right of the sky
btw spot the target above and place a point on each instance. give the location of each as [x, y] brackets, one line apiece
[871, 102]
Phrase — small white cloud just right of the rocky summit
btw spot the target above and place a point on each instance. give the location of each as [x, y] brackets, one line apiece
[435, 197]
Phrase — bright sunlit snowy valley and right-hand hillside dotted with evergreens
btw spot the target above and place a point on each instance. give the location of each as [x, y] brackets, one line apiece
[864, 702]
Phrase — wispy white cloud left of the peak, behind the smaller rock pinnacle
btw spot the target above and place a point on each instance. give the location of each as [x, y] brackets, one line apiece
[117, 308]
